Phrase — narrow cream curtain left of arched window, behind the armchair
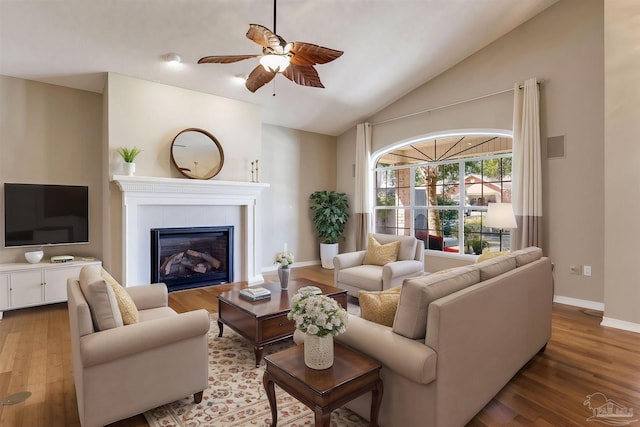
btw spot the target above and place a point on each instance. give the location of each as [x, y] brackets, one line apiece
[362, 206]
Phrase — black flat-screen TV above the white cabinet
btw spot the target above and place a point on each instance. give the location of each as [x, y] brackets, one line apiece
[44, 214]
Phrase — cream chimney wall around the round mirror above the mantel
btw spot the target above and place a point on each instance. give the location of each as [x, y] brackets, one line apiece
[149, 115]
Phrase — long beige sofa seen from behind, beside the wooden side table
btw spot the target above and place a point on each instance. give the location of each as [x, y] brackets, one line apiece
[458, 337]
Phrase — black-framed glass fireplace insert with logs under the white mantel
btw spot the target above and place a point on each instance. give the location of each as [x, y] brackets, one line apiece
[191, 257]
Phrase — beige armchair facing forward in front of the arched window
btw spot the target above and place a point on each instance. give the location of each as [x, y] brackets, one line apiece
[351, 274]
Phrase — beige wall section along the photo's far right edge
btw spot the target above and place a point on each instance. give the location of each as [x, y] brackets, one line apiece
[622, 157]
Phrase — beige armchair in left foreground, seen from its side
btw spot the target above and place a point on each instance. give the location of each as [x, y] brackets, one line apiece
[123, 370]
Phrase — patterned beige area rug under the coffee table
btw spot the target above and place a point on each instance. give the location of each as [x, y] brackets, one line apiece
[236, 396]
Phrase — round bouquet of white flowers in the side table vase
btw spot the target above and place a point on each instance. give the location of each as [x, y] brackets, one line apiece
[317, 314]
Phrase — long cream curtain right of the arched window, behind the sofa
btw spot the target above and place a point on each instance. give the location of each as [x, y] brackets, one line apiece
[527, 170]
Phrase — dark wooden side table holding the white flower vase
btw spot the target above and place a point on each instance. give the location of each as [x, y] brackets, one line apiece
[351, 375]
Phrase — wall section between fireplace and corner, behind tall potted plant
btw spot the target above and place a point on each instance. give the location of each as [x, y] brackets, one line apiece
[296, 163]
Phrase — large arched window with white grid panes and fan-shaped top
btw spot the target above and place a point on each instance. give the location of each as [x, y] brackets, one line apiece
[438, 188]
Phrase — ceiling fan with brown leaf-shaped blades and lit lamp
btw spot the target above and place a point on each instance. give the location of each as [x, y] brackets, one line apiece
[294, 60]
